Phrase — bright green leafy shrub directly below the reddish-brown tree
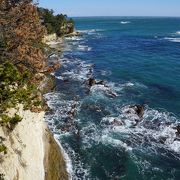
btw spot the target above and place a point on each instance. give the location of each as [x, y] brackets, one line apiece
[15, 87]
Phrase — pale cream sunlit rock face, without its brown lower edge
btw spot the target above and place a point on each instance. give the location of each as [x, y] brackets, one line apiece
[25, 152]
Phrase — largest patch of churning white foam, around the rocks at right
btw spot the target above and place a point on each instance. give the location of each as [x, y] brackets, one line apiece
[153, 129]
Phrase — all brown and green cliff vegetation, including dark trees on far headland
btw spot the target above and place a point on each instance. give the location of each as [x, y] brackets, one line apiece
[23, 63]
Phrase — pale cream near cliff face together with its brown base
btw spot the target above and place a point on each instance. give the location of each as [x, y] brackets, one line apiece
[31, 150]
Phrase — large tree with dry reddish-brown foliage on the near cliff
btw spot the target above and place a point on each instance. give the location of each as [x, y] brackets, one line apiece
[21, 33]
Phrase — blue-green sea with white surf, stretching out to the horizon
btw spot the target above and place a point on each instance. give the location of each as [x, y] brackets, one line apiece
[139, 61]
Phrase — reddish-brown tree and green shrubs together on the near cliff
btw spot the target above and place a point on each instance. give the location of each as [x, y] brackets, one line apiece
[21, 56]
